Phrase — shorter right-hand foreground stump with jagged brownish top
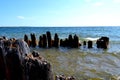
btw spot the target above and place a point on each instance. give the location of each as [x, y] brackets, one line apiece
[38, 68]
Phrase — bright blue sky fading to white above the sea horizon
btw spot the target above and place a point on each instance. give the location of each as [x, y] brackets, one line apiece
[59, 12]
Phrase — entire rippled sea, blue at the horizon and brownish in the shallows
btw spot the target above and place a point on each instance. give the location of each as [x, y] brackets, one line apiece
[82, 63]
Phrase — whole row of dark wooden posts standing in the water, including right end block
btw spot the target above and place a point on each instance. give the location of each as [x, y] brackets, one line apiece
[46, 41]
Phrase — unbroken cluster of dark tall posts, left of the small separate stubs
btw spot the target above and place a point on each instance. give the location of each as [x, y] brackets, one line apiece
[45, 40]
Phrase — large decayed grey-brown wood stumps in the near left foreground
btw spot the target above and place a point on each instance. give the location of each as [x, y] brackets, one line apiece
[17, 63]
